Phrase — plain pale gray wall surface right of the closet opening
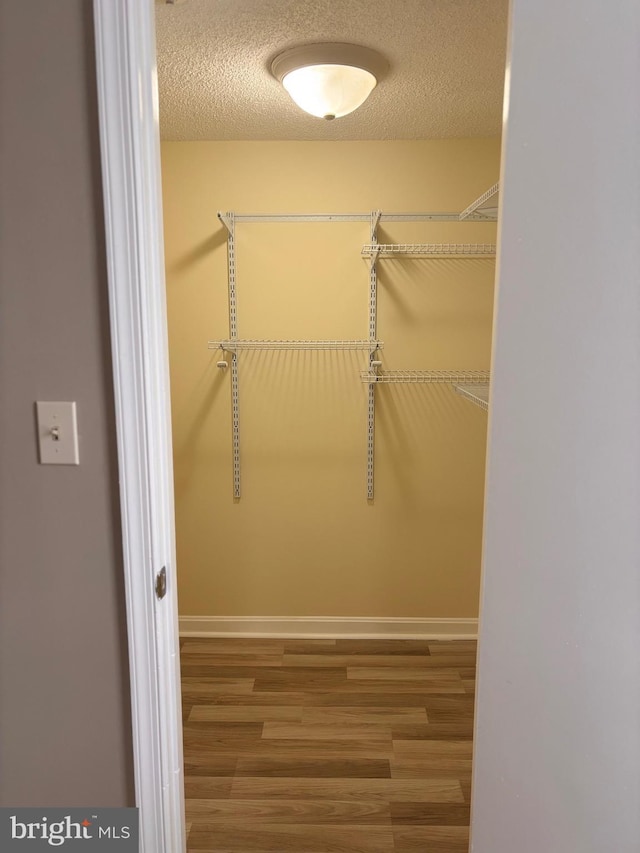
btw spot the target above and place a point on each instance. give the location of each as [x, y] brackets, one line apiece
[557, 762]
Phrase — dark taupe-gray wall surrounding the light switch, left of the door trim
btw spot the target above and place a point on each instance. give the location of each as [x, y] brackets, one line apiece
[64, 697]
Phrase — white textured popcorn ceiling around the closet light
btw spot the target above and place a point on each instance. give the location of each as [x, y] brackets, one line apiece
[446, 76]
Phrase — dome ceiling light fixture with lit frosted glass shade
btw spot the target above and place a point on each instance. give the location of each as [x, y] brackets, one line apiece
[329, 80]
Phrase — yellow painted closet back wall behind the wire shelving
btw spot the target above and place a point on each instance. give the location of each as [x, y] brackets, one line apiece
[303, 540]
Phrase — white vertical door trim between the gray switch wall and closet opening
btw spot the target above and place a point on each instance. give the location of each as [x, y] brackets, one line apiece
[129, 142]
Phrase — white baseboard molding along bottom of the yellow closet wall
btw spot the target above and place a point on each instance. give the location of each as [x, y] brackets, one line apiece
[328, 627]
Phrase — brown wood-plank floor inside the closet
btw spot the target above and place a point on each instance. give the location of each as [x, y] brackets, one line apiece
[327, 746]
